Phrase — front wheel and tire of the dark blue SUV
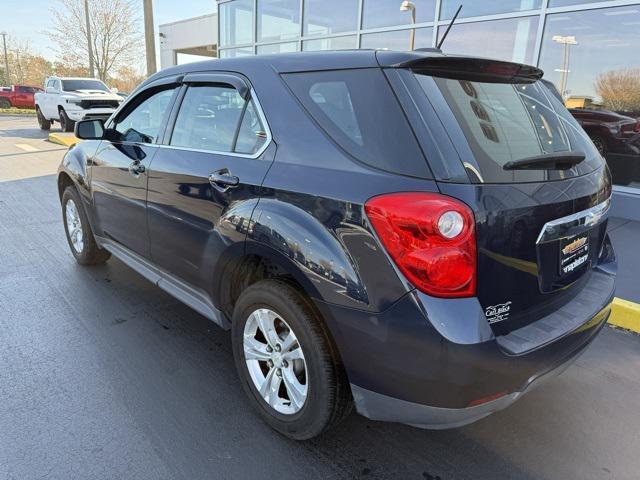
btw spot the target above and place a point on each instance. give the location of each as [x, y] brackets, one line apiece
[79, 235]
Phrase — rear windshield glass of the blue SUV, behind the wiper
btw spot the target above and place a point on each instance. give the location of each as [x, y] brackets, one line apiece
[504, 122]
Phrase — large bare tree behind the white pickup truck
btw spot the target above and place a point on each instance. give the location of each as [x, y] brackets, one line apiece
[115, 36]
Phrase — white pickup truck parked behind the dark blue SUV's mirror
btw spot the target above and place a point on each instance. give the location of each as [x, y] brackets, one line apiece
[68, 100]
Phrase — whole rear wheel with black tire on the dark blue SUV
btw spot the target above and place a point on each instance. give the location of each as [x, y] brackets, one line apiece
[286, 362]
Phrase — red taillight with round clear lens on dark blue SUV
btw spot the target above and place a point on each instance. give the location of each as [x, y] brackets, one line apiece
[431, 238]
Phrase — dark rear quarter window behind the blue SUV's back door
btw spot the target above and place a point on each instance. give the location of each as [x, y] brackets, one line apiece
[360, 112]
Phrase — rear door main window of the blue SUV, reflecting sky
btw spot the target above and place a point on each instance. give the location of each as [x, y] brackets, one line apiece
[208, 119]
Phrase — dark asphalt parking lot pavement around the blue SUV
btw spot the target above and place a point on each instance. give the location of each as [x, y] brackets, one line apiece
[104, 376]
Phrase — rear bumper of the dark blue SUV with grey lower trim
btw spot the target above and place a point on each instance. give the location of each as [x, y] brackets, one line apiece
[435, 362]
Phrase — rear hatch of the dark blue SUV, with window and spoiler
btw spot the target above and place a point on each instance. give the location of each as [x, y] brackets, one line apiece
[540, 228]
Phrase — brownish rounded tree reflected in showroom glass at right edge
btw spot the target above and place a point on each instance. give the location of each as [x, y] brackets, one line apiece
[620, 89]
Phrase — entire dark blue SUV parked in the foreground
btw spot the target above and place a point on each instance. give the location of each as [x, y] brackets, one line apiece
[420, 235]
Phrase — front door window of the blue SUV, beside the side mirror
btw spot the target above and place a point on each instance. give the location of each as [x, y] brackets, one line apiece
[143, 123]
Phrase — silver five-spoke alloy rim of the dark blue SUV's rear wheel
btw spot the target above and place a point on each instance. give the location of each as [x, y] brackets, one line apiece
[275, 361]
